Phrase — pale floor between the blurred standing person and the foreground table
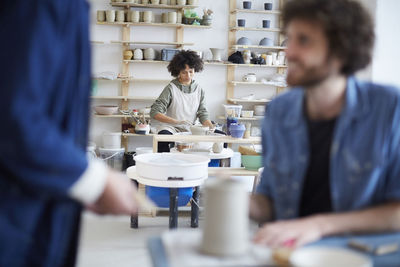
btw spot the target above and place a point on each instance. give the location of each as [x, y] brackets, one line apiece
[109, 241]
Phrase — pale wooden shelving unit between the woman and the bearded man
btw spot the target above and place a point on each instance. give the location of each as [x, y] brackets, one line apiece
[232, 46]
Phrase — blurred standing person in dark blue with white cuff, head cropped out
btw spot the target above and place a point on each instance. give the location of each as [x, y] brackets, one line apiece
[45, 177]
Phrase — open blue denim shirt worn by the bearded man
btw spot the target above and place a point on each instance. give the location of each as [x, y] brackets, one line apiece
[364, 156]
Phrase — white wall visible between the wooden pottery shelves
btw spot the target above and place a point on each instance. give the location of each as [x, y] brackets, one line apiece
[213, 78]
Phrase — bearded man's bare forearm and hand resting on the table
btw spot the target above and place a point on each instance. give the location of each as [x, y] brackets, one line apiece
[297, 232]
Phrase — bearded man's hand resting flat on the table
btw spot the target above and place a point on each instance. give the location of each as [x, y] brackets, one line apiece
[291, 233]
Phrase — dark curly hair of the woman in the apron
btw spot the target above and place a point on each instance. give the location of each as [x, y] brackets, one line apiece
[183, 58]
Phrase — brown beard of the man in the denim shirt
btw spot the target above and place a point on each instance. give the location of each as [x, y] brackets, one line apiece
[311, 76]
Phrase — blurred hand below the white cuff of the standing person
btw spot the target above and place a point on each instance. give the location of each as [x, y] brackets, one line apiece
[118, 196]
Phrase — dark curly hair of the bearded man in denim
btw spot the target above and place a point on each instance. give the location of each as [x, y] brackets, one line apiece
[347, 25]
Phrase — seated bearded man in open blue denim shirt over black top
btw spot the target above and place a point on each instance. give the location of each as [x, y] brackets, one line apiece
[331, 145]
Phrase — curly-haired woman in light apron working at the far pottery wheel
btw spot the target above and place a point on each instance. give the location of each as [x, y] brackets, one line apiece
[182, 101]
